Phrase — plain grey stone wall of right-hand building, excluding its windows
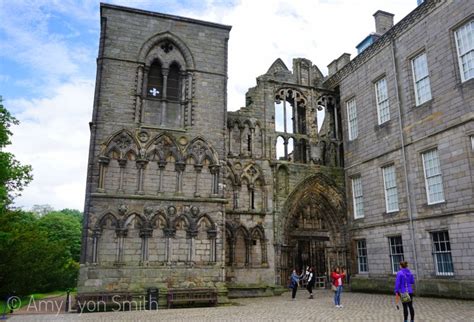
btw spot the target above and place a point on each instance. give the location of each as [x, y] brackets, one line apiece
[445, 122]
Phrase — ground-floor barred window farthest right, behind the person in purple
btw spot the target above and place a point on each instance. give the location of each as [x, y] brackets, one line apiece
[439, 254]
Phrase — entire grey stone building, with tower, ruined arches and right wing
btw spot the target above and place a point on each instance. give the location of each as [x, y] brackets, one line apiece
[182, 193]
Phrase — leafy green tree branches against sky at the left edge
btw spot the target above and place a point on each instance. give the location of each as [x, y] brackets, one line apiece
[13, 175]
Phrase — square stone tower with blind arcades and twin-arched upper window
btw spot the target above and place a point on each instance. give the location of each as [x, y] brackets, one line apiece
[154, 214]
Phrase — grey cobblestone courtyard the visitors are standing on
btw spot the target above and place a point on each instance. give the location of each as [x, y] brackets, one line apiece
[357, 307]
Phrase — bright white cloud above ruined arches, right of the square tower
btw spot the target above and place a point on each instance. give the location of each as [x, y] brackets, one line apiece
[265, 30]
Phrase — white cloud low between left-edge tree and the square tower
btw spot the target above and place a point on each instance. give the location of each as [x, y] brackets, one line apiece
[53, 137]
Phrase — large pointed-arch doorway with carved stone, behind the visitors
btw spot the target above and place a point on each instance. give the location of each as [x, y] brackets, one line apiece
[312, 228]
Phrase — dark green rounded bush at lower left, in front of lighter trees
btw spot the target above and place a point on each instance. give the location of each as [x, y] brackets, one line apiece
[31, 262]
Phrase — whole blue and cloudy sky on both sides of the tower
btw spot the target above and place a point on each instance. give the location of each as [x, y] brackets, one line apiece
[48, 52]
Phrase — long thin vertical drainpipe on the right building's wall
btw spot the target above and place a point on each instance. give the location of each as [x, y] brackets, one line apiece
[404, 161]
